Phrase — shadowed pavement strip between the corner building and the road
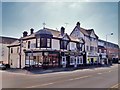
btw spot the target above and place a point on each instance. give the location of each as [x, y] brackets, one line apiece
[52, 70]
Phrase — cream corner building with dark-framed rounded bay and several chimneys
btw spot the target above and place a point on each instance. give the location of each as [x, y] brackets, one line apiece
[46, 48]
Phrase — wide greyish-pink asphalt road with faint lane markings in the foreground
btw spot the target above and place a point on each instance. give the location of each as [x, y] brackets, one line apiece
[104, 77]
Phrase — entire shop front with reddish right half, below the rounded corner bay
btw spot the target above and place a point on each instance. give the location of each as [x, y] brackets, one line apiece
[41, 59]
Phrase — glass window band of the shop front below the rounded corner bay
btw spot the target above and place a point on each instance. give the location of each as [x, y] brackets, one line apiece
[40, 59]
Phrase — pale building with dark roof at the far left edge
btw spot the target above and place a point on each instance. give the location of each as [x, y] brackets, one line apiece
[4, 42]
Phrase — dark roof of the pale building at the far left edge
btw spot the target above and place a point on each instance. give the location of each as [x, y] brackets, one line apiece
[7, 40]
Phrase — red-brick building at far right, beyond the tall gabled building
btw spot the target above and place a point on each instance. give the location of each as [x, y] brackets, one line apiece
[108, 50]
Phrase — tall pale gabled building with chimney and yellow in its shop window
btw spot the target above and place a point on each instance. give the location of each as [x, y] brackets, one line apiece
[91, 43]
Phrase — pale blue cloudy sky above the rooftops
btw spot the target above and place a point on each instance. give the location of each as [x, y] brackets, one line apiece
[21, 16]
